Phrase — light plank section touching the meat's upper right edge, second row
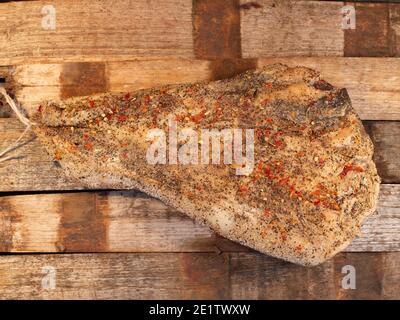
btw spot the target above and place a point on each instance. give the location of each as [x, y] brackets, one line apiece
[373, 83]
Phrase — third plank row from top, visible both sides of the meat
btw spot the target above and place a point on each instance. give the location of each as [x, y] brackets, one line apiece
[32, 169]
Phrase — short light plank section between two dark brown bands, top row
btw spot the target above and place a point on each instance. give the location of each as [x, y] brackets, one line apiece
[292, 28]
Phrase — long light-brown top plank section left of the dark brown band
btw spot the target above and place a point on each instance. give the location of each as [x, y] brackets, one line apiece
[91, 28]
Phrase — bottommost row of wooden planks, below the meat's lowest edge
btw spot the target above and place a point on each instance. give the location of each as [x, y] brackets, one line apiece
[194, 276]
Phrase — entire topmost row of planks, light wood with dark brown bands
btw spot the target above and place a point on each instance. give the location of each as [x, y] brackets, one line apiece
[202, 29]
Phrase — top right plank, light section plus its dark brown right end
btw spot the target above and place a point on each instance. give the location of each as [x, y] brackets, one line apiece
[314, 28]
